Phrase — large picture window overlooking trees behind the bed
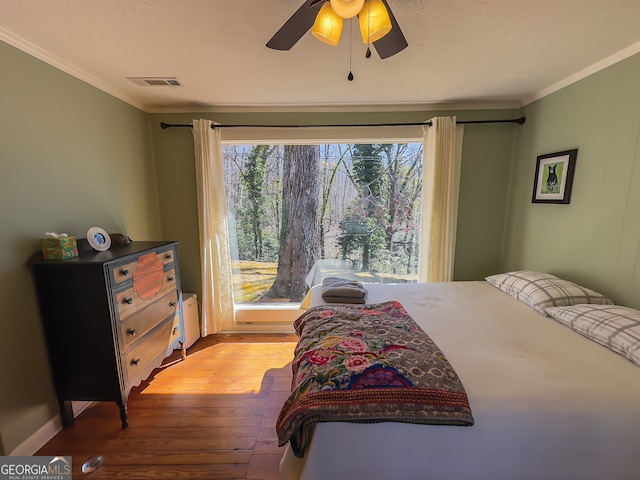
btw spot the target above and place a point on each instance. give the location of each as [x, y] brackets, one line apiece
[299, 213]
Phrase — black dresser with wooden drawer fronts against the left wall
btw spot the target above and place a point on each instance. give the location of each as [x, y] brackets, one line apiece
[110, 318]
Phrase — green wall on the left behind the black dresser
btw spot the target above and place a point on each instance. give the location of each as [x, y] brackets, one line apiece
[72, 157]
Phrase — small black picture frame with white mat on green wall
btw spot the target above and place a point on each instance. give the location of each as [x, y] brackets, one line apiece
[553, 179]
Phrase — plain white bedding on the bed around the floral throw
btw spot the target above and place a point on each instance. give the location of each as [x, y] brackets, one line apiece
[547, 402]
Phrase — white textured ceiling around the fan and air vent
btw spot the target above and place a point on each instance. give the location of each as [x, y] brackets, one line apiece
[462, 52]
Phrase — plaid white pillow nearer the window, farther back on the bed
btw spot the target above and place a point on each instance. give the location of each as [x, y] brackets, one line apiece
[543, 290]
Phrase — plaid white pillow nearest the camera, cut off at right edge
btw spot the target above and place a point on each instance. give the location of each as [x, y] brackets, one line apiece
[613, 326]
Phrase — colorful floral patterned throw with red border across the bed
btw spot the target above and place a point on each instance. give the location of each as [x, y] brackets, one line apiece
[367, 364]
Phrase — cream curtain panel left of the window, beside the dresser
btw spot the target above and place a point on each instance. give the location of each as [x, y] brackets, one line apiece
[217, 291]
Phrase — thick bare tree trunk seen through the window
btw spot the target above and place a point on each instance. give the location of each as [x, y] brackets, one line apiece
[299, 237]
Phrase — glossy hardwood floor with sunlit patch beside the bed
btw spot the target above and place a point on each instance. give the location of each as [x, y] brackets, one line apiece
[211, 416]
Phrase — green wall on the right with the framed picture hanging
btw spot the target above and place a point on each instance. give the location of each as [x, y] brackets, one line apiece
[595, 240]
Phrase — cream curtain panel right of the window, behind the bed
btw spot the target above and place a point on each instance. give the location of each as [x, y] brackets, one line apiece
[440, 187]
